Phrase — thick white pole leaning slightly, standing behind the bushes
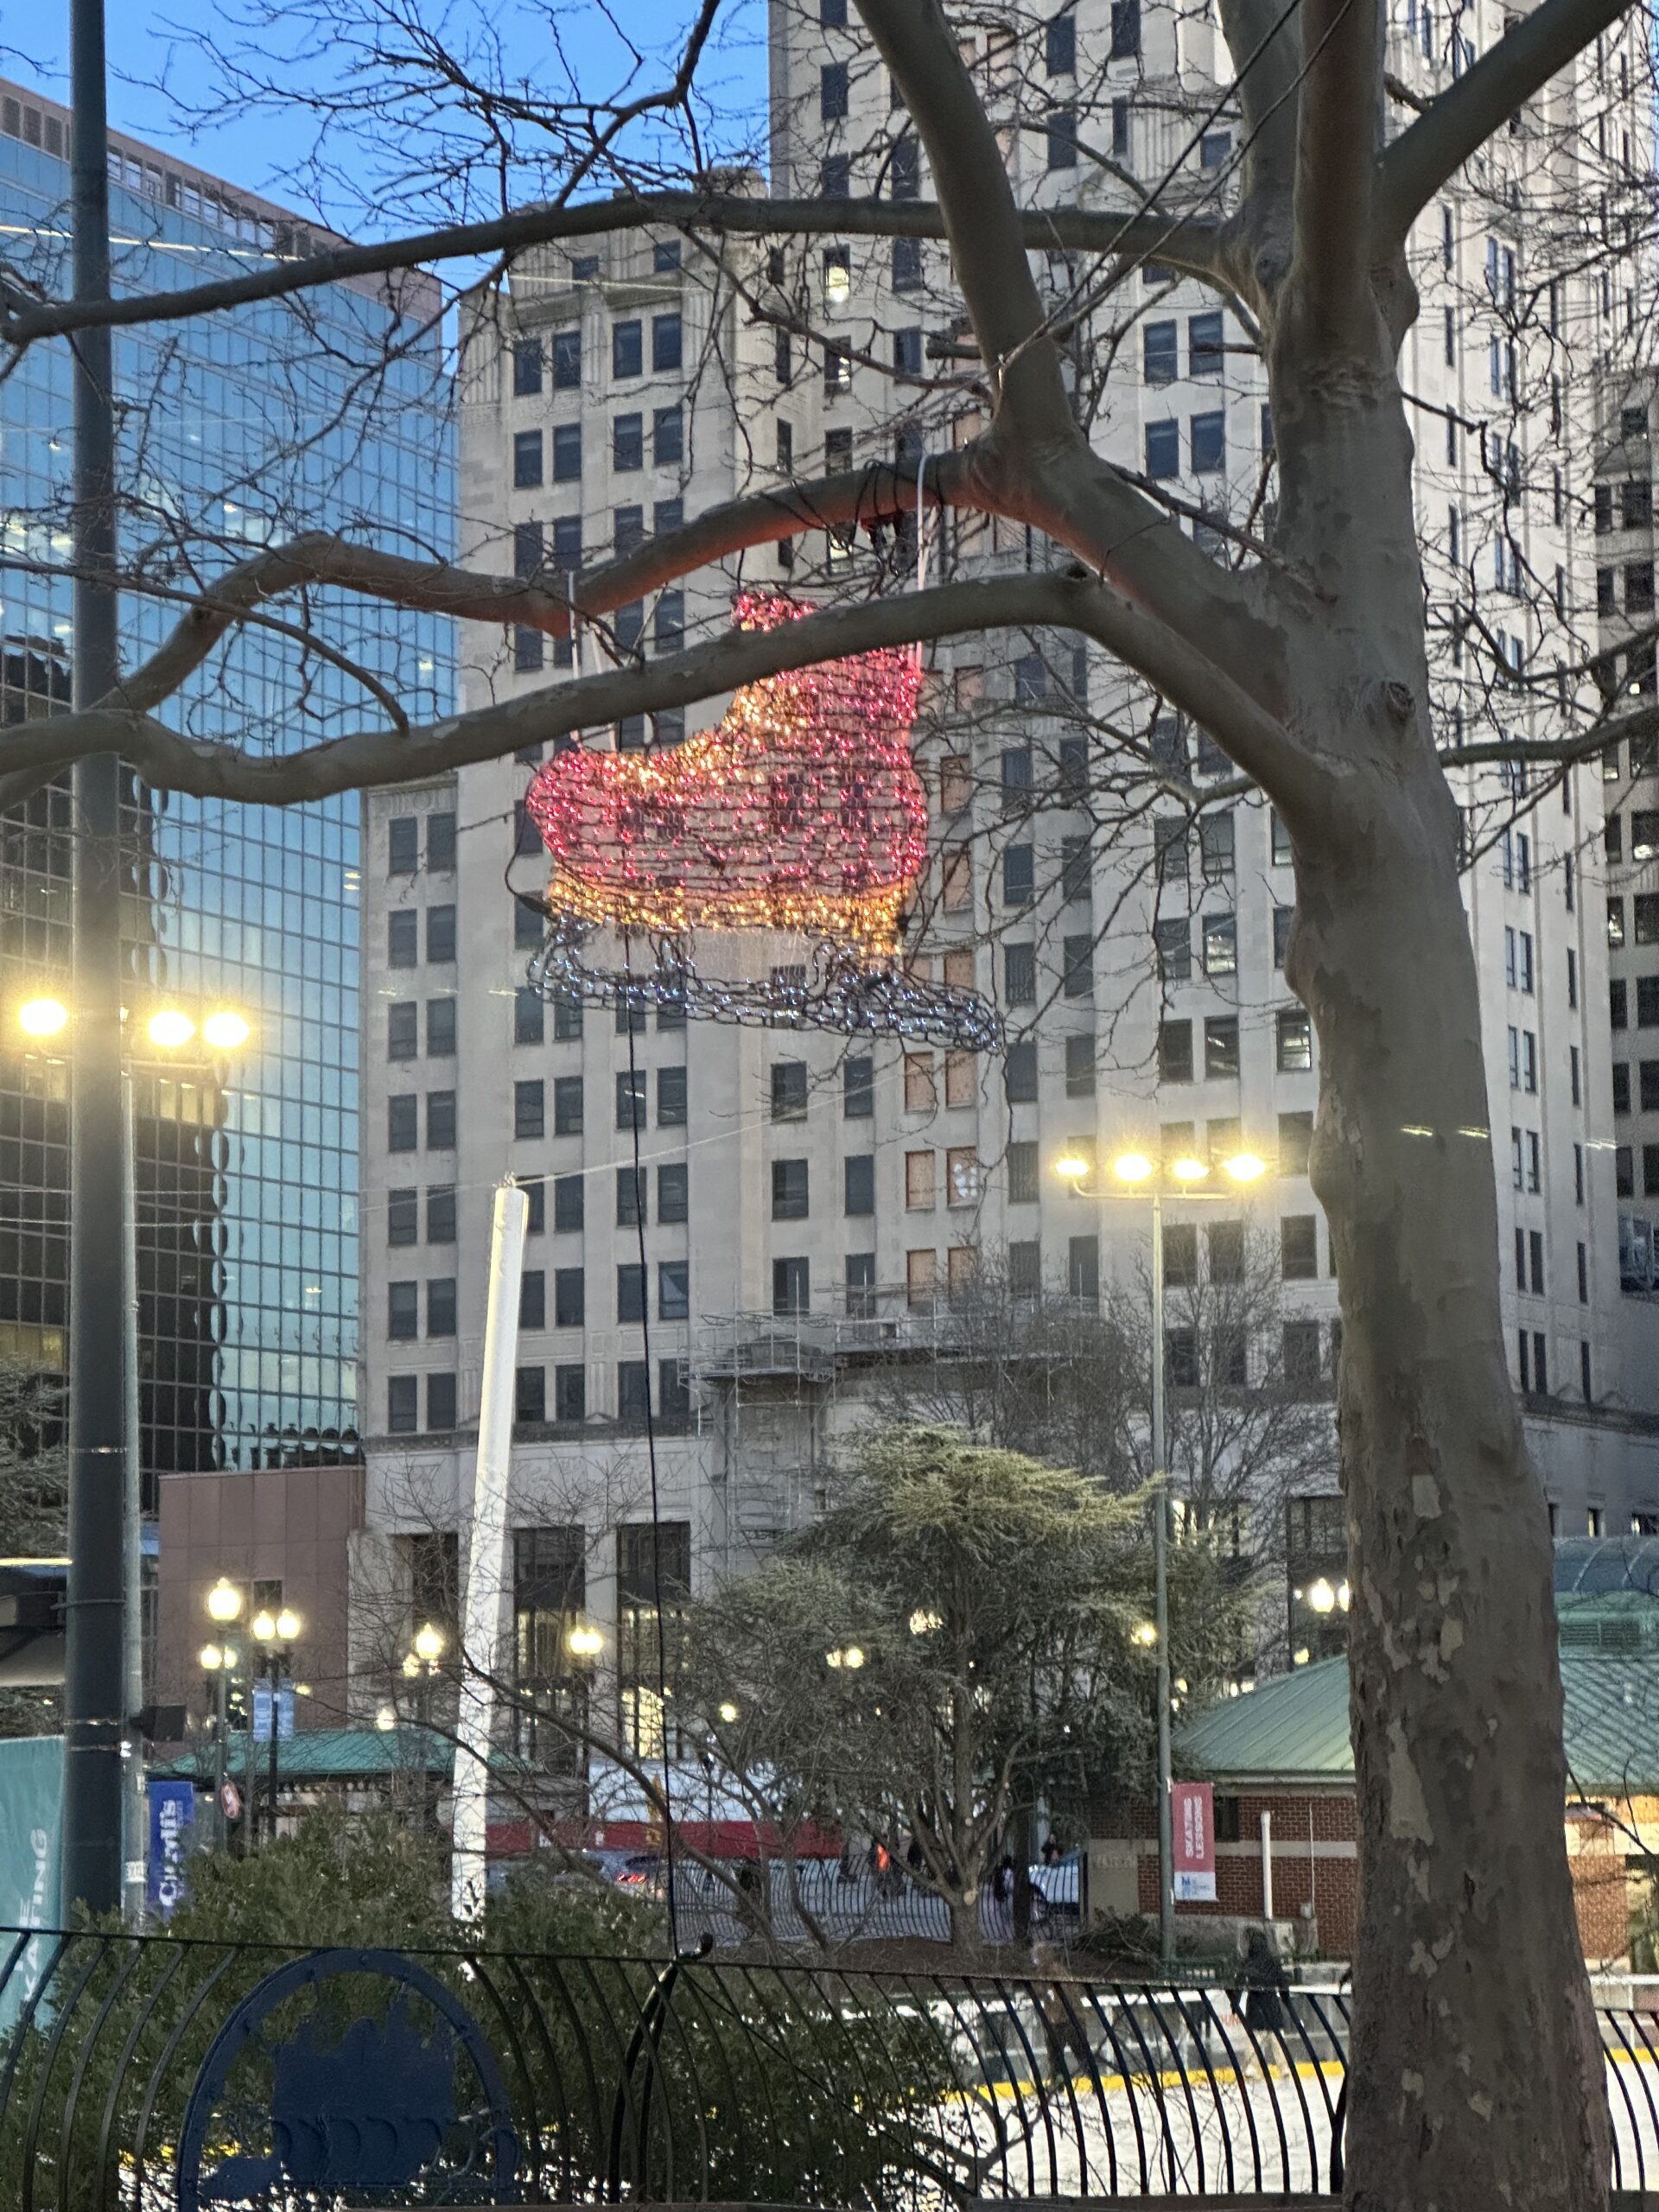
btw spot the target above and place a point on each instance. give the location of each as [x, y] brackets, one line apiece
[486, 1554]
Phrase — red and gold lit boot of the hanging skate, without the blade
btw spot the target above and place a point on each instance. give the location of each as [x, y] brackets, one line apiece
[800, 811]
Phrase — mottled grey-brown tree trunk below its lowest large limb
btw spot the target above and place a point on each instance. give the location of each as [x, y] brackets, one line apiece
[1472, 2001]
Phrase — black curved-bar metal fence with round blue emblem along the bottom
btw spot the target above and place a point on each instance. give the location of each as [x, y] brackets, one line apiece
[160, 2076]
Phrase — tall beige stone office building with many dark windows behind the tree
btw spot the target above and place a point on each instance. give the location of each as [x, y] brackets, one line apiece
[815, 1213]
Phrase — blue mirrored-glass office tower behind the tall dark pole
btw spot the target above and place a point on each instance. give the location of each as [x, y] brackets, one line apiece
[236, 432]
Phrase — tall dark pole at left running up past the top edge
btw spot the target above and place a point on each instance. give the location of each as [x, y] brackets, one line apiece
[98, 1169]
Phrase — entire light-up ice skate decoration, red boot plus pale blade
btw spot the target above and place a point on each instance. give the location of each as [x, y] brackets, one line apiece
[800, 813]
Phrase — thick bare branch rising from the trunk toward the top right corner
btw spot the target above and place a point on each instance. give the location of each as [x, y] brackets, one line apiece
[1463, 118]
